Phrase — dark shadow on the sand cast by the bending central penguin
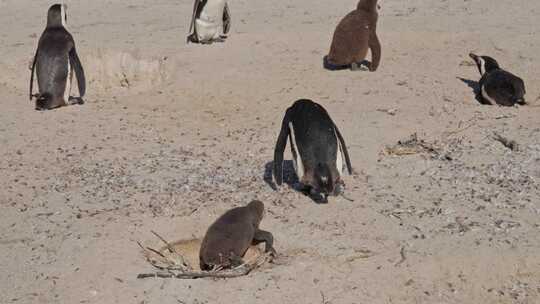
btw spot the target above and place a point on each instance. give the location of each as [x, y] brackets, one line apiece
[290, 179]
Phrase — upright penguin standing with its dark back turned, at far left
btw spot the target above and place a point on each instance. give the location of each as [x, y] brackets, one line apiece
[54, 62]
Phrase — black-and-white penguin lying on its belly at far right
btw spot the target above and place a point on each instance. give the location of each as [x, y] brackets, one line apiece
[497, 86]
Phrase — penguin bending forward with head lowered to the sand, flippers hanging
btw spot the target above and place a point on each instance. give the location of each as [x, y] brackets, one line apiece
[317, 147]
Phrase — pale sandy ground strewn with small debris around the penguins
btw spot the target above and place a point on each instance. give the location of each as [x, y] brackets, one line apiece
[172, 135]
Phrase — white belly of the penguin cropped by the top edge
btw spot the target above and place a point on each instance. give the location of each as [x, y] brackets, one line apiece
[209, 25]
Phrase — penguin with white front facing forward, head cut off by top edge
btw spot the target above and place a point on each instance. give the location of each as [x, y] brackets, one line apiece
[210, 21]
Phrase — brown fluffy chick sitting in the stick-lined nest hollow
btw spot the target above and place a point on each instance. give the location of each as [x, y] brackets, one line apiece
[230, 236]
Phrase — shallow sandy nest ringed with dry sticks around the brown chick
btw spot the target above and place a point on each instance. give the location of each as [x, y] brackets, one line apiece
[180, 260]
